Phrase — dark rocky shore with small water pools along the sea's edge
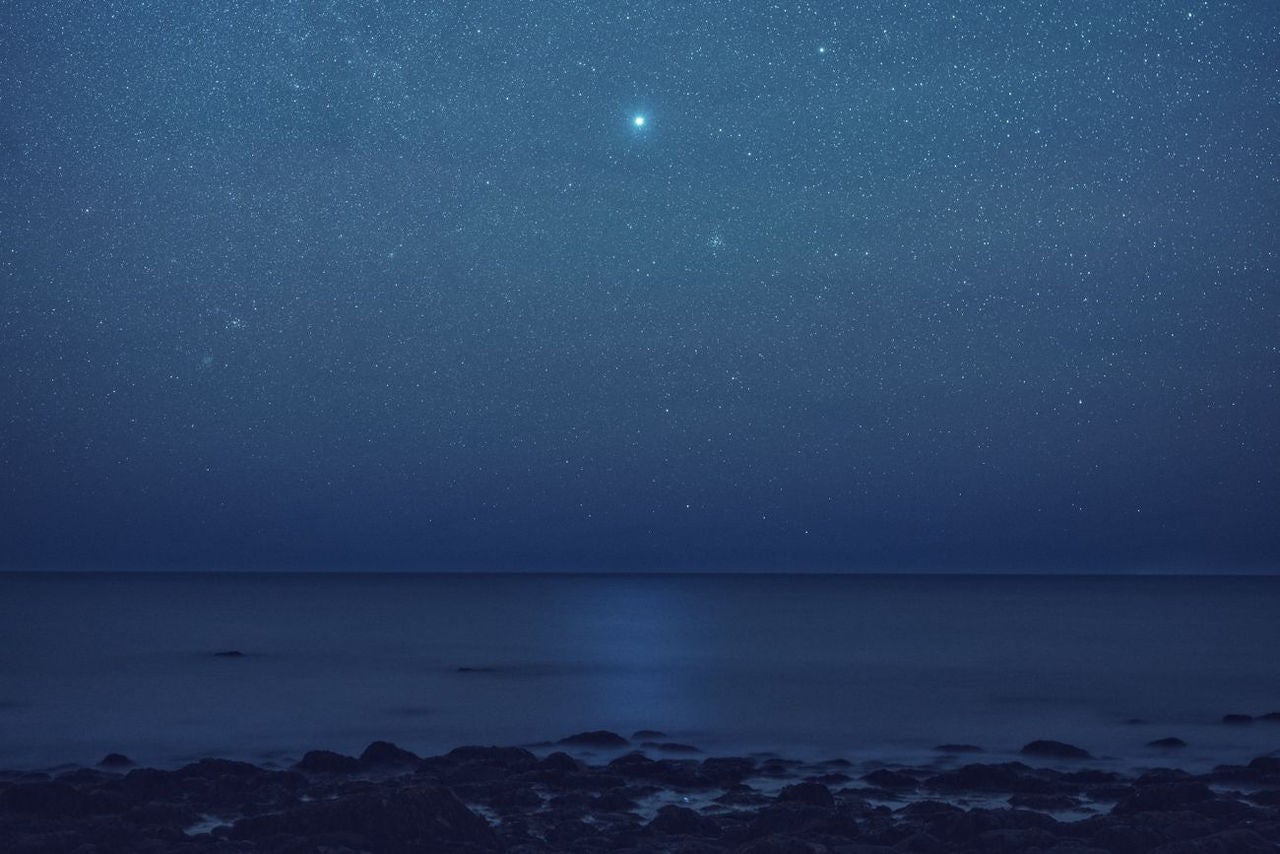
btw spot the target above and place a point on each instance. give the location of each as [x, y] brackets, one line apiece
[601, 792]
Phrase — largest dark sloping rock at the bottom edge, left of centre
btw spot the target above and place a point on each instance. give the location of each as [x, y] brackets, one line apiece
[395, 823]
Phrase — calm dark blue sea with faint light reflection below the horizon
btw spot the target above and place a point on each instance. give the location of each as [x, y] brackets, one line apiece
[866, 668]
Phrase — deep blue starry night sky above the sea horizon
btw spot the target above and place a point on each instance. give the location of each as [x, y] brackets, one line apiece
[559, 285]
